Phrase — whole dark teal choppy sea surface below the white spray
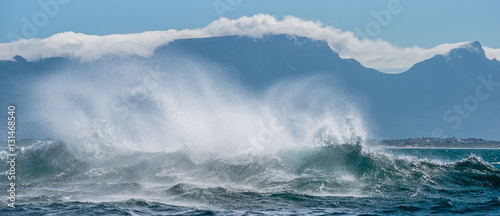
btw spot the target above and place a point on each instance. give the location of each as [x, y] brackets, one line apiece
[54, 178]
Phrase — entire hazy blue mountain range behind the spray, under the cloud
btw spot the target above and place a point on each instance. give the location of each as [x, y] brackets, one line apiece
[456, 94]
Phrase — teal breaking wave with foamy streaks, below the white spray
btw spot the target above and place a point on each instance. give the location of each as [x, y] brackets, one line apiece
[342, 170]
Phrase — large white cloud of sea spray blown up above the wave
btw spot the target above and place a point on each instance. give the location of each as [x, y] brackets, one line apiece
[189, 104]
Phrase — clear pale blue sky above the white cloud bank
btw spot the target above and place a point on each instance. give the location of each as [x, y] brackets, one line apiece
[423, 23]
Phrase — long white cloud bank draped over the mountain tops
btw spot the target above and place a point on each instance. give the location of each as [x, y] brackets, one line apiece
[378, 54]
